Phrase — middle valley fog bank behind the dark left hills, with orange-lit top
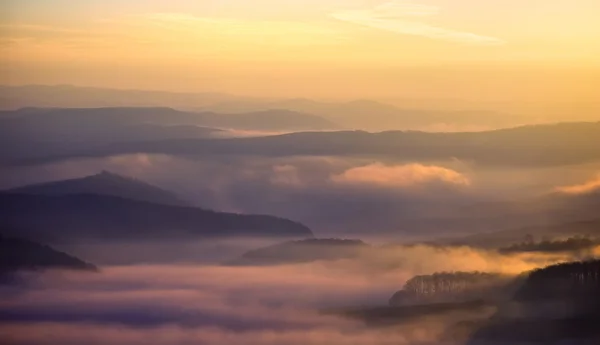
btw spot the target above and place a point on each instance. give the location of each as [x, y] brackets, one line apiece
[336, 196]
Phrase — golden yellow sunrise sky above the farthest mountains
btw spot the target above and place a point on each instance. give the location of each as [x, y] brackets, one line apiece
[308, 48]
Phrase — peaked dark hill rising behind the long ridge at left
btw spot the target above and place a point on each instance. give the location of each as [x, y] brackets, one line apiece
[104, 183]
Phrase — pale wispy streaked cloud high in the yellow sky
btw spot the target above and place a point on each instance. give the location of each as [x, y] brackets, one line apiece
[392, 16]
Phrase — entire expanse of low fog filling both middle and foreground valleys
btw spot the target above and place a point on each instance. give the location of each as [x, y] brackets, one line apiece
[181, 292]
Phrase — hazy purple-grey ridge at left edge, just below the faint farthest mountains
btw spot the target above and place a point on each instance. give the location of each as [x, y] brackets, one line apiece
[37, 132]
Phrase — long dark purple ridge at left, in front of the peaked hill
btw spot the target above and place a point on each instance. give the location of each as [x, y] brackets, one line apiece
[74, 217]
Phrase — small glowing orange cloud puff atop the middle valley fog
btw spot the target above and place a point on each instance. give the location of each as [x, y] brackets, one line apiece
[400, 175]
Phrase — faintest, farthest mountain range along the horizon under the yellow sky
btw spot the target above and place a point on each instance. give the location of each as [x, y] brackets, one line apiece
[358, 114]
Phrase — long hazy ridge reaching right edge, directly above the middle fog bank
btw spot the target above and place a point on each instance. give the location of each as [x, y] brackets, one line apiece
[529, 146]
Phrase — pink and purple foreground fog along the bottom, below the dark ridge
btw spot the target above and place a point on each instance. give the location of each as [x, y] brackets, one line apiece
[169, 303]
